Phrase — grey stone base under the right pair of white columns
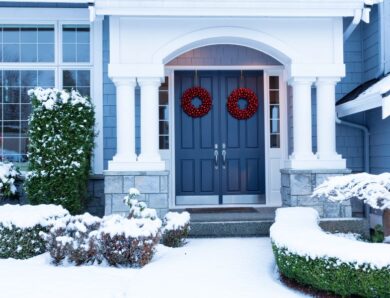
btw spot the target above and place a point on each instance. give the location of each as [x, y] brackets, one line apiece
[298, 186]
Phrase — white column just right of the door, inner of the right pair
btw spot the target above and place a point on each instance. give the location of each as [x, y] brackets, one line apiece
[302, 156]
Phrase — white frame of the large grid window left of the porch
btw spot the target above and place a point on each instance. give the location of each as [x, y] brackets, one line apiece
[59, 17]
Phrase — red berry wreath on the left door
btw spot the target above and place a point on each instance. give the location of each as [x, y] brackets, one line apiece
[189, 108]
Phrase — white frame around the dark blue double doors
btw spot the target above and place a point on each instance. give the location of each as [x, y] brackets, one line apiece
[169, 155]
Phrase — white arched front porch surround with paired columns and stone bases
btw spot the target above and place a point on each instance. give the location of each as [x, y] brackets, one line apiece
[315, 61]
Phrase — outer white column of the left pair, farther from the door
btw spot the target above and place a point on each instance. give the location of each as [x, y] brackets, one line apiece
[125, 124]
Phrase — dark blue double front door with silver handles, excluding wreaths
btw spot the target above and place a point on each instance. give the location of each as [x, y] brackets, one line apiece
[219, 159]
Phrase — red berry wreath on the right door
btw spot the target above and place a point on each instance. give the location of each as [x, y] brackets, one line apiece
[249, 96]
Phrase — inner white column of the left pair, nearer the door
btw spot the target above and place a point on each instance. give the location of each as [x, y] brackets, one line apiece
[150, 158]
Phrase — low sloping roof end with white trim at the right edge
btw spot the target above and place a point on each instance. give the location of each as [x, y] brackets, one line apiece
[370, 95]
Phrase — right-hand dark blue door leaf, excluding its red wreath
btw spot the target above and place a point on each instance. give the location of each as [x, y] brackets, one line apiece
[245, 158]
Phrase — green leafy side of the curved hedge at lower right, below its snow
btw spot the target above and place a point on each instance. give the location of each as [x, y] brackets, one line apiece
[333, 275]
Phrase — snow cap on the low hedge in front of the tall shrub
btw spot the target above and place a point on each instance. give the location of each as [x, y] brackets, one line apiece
[28, 216]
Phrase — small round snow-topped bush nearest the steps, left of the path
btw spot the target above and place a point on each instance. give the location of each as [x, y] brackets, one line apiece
[176, 227]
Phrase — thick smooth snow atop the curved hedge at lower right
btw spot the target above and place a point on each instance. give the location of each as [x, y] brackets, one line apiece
[297, 230]
